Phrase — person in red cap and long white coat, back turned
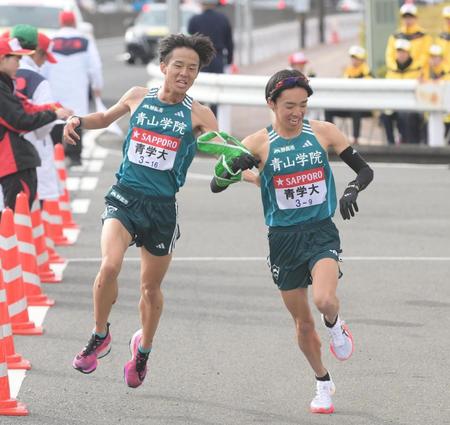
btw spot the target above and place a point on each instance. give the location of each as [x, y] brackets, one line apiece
[79, 68]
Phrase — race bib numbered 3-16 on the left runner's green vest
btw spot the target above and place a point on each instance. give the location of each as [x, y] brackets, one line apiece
[152, 149]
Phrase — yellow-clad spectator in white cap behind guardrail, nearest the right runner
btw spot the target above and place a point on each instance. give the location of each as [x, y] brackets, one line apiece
[357, 68]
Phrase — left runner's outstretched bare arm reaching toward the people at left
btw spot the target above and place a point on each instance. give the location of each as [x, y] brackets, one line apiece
[127, 103]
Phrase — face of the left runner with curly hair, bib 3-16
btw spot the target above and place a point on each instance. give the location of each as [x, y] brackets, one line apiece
[182, 69]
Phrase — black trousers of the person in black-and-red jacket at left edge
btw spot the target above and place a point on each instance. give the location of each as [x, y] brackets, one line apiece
[22, 181]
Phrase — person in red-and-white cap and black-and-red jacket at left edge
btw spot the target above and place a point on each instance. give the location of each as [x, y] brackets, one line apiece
[18, 157]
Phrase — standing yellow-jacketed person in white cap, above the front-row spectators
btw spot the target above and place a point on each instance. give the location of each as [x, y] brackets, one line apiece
[411, 31]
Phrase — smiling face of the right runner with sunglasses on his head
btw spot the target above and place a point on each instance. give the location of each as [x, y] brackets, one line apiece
[290, 107]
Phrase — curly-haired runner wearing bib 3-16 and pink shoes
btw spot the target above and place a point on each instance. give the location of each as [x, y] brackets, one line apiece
[141, 208]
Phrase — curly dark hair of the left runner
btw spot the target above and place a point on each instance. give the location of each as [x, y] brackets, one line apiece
[201, 44]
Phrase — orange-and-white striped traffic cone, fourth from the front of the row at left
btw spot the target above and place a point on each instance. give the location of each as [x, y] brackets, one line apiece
[27, 254]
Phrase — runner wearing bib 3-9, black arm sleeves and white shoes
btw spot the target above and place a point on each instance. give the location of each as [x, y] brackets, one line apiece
[299, 199]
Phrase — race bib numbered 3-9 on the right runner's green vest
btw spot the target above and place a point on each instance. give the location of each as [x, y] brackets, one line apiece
[300, 190]
